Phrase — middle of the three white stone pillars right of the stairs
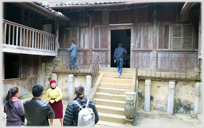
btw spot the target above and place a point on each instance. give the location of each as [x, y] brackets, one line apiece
[170, 107]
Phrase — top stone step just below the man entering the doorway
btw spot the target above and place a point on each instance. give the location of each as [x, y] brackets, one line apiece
[115, 75]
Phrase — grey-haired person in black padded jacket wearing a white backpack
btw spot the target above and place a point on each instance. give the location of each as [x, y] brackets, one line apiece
[81, 111]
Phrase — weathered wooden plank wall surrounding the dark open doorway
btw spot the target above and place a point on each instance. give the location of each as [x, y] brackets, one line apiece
[155, 30]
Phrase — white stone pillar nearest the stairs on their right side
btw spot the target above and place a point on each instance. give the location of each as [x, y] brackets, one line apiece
[147, 95]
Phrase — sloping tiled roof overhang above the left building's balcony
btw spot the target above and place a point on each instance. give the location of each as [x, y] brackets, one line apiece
[43, 11]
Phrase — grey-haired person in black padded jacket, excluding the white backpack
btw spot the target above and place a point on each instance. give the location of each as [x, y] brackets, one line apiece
[72, 110]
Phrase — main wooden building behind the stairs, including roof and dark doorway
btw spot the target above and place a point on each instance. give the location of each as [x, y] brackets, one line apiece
[146, 30]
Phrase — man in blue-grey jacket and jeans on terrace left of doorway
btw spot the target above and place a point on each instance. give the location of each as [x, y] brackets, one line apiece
[73, 55]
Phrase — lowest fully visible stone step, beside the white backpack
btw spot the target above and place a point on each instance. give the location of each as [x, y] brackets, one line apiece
[112, 118]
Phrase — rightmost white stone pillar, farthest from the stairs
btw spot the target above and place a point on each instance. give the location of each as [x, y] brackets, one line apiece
[198, 102]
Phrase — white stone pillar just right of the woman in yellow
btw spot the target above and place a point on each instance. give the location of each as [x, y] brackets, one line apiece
[70, 87]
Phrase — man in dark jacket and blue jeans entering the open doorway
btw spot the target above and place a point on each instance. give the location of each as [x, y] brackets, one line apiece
[119, 54]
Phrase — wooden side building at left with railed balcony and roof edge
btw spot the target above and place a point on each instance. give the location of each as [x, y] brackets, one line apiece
[30, 37]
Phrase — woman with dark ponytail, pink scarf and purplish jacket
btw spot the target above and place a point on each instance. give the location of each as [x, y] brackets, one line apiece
[14, 108]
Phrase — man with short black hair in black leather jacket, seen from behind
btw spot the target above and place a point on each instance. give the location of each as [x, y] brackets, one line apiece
[37, 112]
